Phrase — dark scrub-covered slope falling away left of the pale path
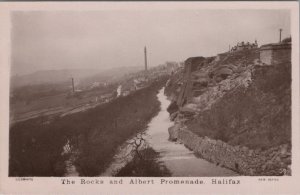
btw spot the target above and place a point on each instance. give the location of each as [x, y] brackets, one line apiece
[35, 147]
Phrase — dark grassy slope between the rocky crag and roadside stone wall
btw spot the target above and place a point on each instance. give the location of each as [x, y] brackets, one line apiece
[257, 117]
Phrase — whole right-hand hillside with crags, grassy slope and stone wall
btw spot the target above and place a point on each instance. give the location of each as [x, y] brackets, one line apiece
[233, 111]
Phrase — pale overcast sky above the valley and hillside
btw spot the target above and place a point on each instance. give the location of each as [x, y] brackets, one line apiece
[63, 40]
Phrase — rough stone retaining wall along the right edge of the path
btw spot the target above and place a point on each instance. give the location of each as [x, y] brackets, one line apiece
[274, 161]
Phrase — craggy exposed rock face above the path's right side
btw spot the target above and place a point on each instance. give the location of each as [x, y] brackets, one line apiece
[206, 79]
